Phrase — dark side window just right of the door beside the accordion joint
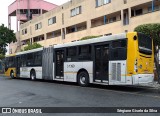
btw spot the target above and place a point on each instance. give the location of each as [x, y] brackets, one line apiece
[71, 54]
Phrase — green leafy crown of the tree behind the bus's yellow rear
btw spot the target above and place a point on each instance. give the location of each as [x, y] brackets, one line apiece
[153, 30]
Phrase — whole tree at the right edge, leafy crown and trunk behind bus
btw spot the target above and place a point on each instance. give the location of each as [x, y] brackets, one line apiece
[153, 30]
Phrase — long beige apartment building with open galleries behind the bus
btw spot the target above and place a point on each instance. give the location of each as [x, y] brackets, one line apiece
[79, 18]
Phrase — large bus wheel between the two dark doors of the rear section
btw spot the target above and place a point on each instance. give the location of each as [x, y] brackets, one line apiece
[83, 79]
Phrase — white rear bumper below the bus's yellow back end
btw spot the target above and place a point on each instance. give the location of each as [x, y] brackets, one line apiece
[141, 79]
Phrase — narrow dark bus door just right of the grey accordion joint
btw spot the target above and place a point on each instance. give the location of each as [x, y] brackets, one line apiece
[59, 64]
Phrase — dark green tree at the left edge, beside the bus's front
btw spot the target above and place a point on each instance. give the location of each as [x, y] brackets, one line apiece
[6, 37]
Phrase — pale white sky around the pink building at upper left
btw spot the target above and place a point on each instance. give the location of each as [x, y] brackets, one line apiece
[4, 11]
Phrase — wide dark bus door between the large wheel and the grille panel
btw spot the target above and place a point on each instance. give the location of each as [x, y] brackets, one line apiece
[101, 63]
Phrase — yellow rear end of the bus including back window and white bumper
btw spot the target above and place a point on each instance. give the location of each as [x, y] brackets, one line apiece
[140, 59]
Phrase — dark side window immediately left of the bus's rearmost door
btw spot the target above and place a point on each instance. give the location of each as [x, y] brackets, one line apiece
[84, 52]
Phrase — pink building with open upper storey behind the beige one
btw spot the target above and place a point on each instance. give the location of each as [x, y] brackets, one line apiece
[25, 10]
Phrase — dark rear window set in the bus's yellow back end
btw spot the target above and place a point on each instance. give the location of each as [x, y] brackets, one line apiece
[145, 44]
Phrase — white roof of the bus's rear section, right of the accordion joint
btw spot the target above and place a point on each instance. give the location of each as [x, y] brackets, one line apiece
[95, 40]
